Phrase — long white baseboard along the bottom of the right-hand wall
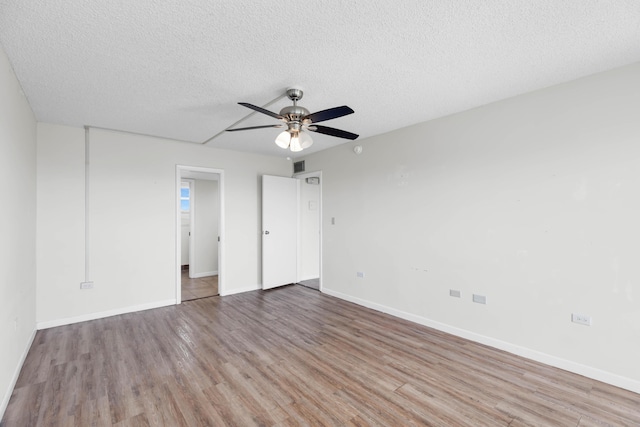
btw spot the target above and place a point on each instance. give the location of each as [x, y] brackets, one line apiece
[547, 359]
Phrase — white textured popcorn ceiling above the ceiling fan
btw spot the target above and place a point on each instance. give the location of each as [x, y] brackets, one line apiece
[177, 68]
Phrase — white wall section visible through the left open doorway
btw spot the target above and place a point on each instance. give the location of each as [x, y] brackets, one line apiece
[206, 211]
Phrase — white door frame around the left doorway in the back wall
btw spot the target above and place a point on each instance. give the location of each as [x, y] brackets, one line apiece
[180, 169]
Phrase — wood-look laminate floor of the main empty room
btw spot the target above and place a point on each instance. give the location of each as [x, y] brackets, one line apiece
[292, 356]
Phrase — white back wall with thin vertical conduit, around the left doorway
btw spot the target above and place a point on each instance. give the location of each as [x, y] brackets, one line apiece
[132, 220]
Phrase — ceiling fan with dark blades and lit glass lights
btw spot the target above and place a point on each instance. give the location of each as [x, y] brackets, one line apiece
[298, 121]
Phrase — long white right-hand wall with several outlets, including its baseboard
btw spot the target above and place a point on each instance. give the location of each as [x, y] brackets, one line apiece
[533, 202]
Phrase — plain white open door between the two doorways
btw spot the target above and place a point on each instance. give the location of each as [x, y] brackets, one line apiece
[279, 231]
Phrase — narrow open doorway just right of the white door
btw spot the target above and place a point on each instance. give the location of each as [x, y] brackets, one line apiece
[310, 229]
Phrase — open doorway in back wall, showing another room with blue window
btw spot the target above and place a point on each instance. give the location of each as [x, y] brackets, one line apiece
[199, 239]
